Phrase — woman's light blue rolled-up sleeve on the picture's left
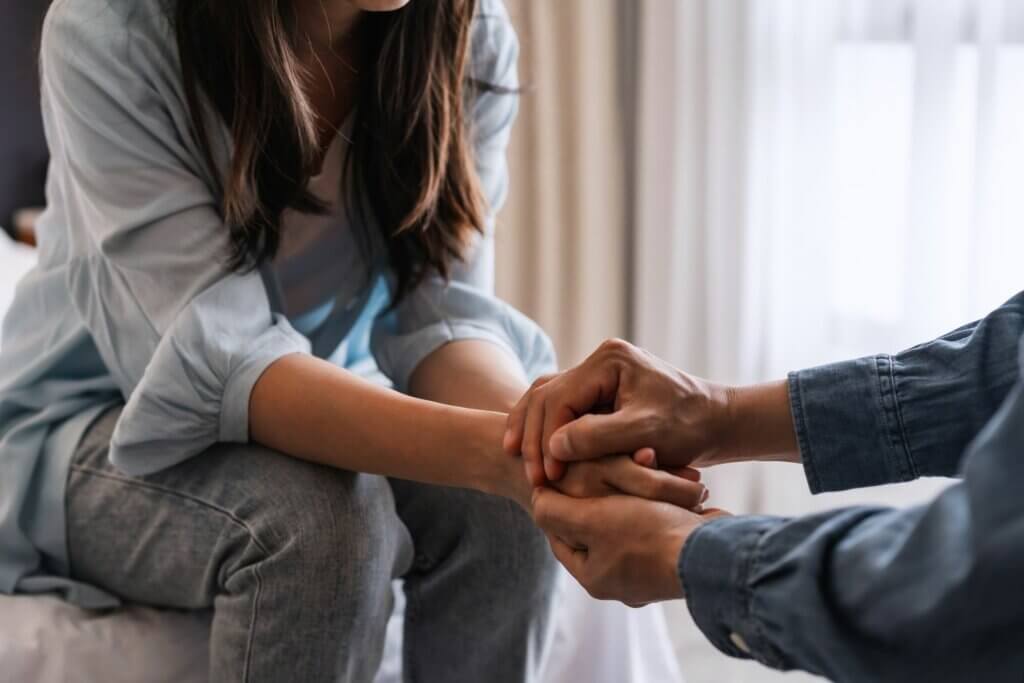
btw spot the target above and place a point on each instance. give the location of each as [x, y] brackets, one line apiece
[185, 338]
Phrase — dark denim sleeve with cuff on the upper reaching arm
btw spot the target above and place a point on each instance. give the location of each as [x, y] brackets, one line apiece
[895, 418]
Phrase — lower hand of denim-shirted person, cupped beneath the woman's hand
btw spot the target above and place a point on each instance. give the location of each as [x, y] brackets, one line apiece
[620, 547]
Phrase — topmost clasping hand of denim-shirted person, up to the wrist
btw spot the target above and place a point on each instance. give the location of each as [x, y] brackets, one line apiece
[629, 400]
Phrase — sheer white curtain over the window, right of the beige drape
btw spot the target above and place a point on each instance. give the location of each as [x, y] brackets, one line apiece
[821, 180]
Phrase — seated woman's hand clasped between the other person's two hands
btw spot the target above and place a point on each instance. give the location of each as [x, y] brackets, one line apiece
[622, 476]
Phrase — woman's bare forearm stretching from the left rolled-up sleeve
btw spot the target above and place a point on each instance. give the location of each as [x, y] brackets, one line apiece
[313, 410]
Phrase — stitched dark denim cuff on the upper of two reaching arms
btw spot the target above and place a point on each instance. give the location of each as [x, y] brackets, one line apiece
[849, 426]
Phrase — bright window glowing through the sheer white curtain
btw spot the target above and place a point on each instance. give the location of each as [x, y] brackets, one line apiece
[928, 151]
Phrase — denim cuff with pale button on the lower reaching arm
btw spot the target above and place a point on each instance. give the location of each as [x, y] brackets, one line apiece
[715, 567]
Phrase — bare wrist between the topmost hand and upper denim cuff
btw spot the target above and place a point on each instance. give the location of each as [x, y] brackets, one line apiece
[758, 425]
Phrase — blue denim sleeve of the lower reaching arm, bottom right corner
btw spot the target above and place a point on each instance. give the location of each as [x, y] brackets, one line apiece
[872, 594]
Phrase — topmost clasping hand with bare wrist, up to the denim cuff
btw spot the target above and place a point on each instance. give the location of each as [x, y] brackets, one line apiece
[622, 400]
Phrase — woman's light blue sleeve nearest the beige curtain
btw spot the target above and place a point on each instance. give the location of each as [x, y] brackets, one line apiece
[440, 312]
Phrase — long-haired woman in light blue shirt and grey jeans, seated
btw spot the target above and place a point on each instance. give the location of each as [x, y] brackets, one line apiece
[241, 196]
